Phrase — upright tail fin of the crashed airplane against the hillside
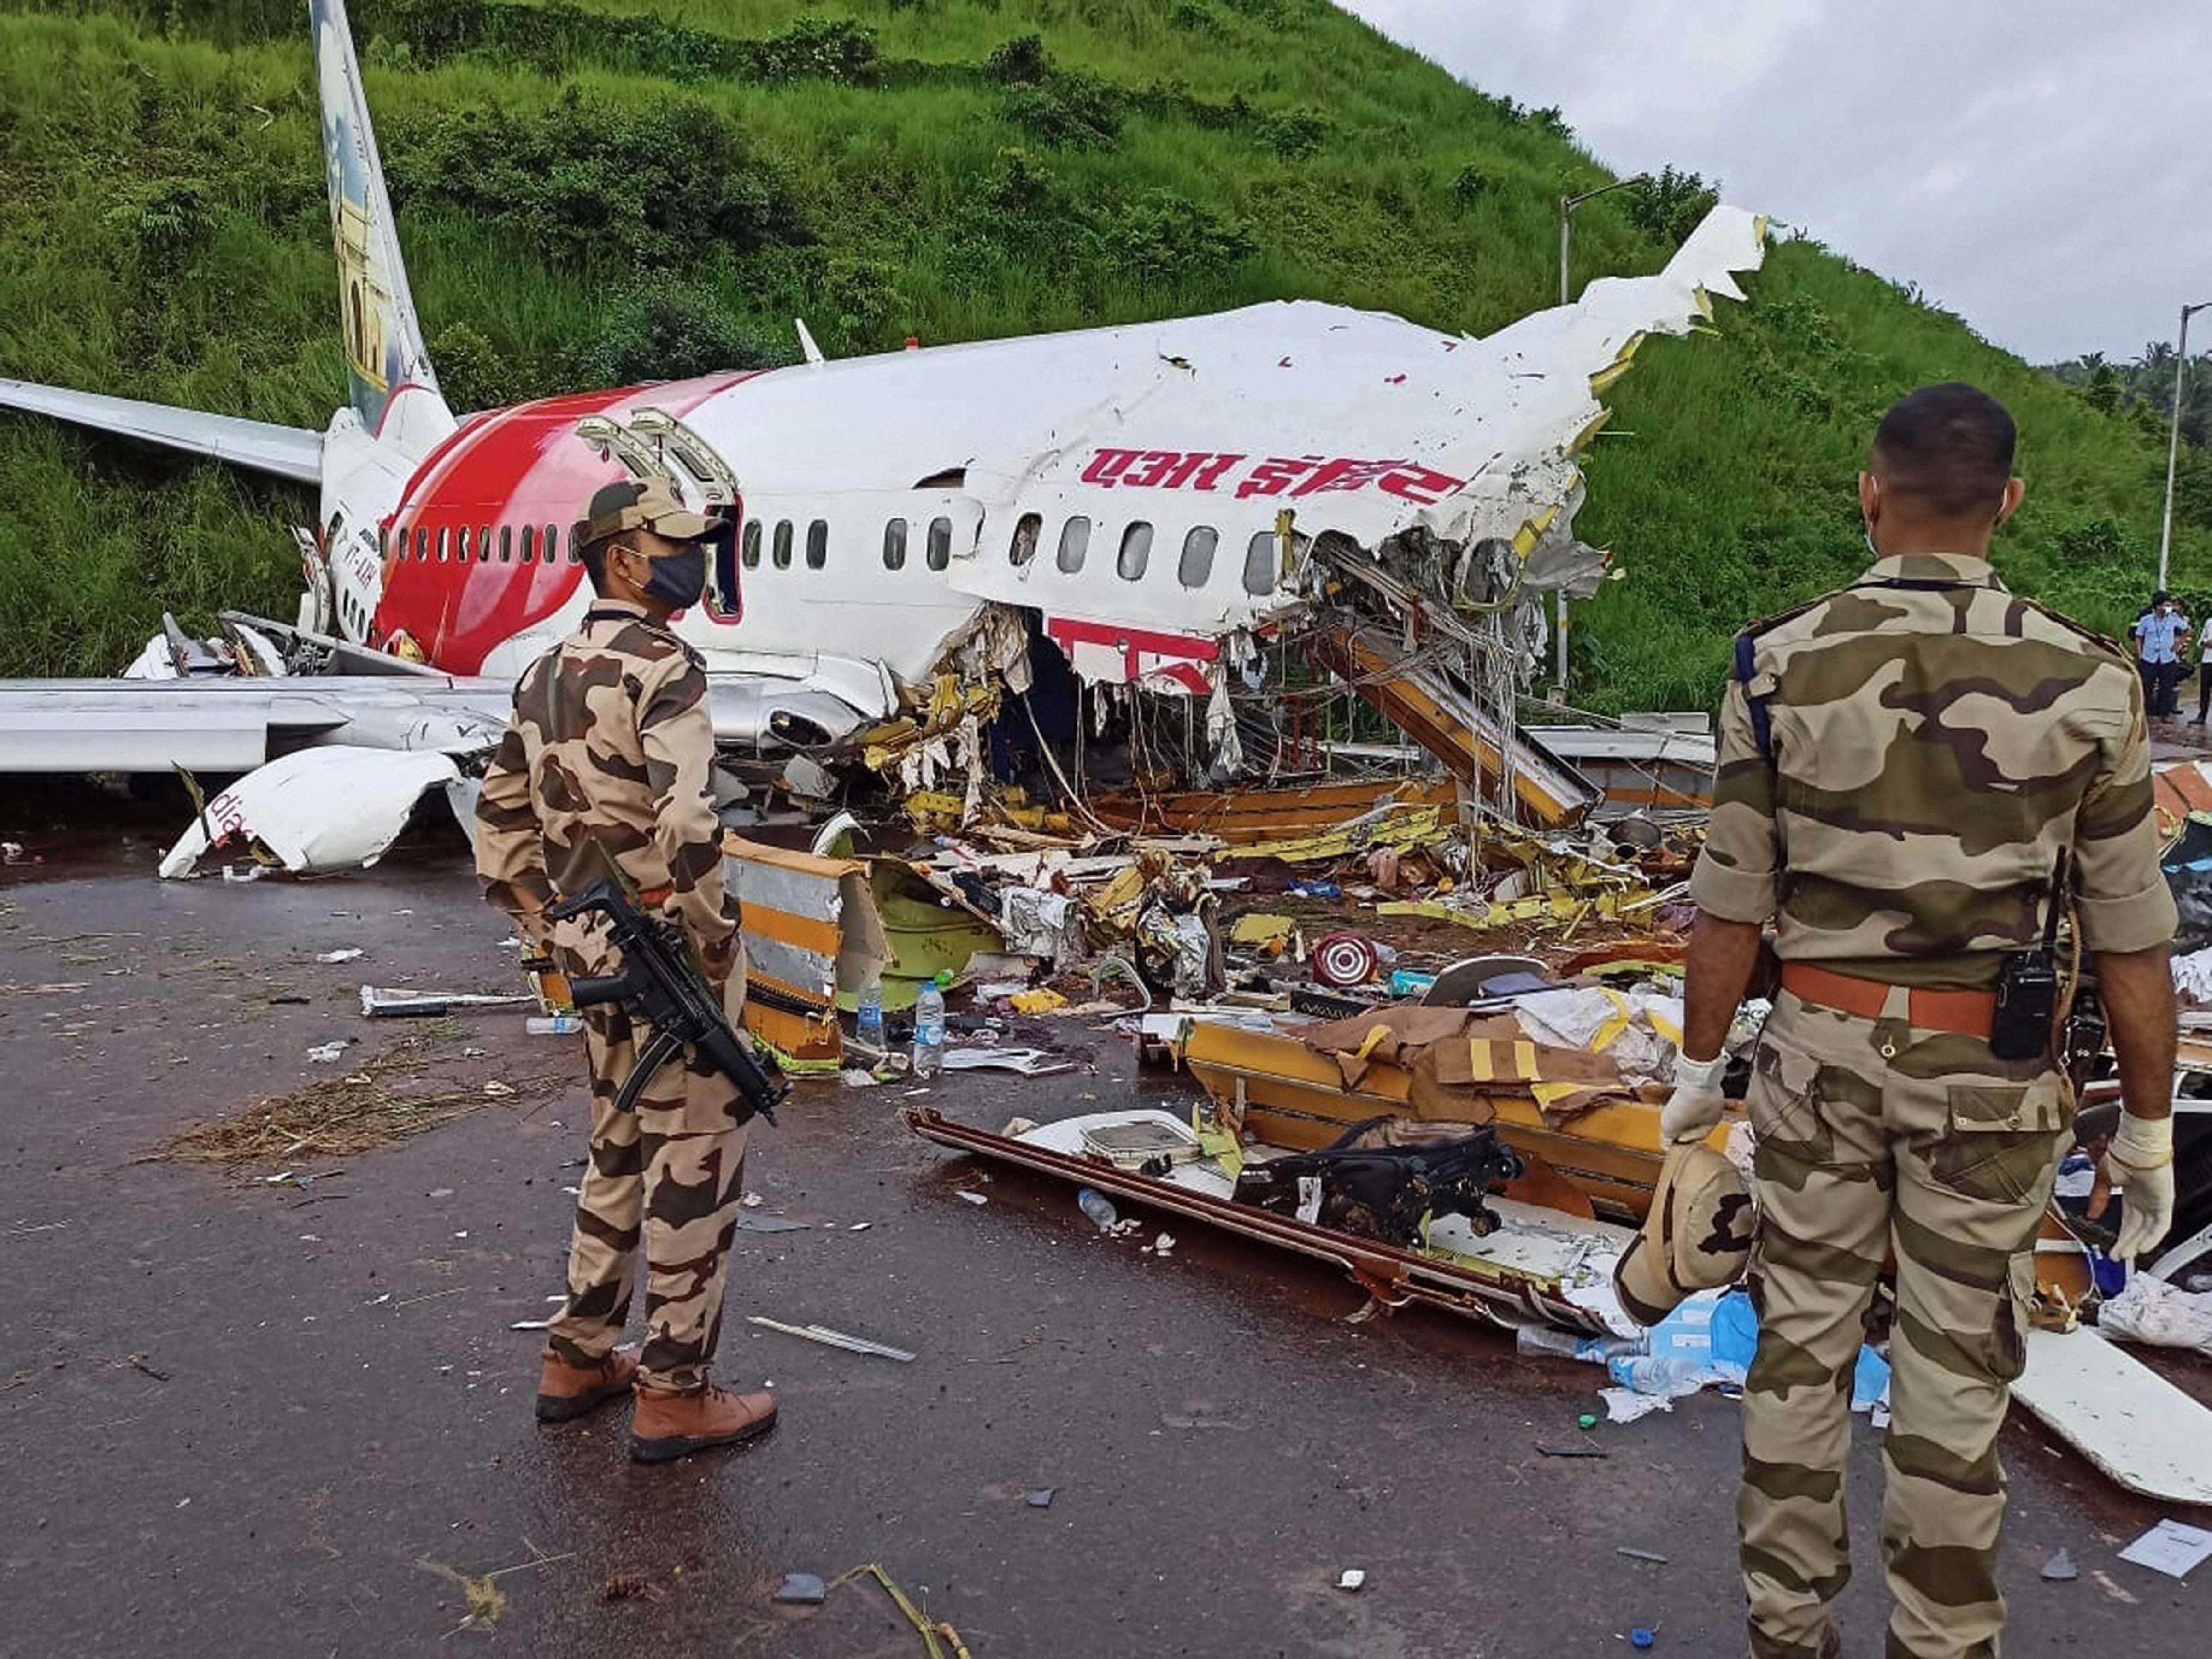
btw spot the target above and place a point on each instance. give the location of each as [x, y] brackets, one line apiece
[384, 342]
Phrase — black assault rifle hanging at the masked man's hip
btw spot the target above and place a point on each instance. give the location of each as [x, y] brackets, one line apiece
[667, 992]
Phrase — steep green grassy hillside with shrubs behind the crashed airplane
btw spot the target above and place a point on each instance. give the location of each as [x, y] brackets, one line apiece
[649, 189]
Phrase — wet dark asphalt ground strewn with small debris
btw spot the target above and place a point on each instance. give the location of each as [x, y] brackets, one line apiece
[249, 1419]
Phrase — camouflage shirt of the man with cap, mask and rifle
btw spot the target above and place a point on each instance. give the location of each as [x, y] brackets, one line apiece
[609, 753]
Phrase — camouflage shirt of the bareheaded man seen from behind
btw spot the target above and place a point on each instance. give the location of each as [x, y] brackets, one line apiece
[1937, 744]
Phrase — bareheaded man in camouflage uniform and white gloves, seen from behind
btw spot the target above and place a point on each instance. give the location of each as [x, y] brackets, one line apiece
[1901, 769]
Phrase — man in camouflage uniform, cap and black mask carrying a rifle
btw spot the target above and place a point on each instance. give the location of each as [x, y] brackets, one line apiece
[607, 764]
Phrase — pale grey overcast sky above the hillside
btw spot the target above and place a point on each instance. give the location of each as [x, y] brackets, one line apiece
[2043, 169]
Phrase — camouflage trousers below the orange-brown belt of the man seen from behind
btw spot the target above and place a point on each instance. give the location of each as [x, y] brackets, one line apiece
[1884, 1140]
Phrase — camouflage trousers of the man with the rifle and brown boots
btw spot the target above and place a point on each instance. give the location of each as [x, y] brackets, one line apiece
[669, 1178]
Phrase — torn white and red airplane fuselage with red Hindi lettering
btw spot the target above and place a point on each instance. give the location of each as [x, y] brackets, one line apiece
[1151, 494]
